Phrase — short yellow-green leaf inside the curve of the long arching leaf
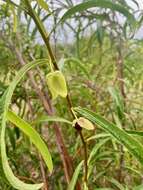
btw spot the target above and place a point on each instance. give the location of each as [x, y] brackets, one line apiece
[34, 137]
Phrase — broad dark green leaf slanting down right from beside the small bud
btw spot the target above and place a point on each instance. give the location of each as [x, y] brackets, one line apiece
[133, 146]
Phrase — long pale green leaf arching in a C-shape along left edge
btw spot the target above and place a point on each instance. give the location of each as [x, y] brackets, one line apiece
[14, 181]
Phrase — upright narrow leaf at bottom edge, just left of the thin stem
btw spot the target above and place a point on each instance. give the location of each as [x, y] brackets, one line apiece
[73, 181]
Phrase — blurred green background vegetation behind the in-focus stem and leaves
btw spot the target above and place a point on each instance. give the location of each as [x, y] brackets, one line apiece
[101, 55]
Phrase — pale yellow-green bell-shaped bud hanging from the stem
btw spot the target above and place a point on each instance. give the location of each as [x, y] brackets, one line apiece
[57, 84]
